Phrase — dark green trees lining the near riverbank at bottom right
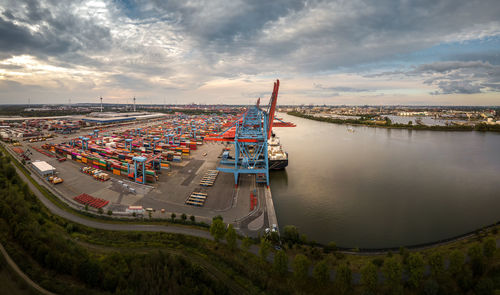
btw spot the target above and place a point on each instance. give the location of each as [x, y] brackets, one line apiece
[475, 269]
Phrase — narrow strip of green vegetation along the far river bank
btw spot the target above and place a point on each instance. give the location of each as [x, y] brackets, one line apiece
[369, 121]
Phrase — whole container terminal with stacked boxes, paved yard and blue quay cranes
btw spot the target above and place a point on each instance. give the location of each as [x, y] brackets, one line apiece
[158, 164]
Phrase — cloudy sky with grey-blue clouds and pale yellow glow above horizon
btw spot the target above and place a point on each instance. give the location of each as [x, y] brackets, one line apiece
[352, 52]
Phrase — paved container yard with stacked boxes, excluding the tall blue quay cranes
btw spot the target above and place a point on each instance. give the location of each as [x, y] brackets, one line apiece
[164, 164]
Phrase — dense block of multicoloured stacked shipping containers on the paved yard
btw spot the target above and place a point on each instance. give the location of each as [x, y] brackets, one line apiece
[160, 145]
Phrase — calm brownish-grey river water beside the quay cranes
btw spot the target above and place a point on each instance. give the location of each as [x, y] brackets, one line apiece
[375, 187]
